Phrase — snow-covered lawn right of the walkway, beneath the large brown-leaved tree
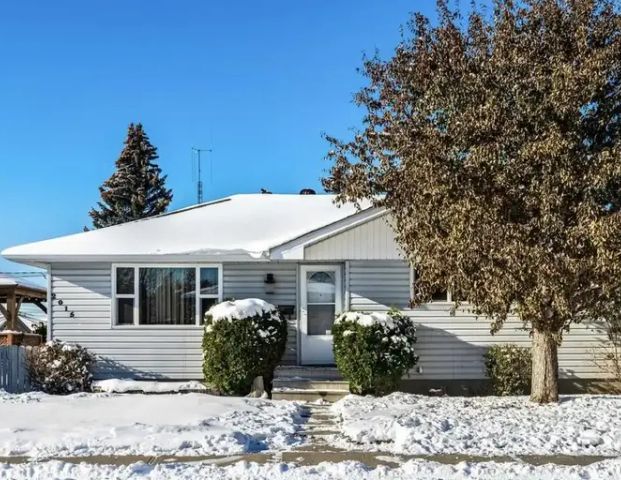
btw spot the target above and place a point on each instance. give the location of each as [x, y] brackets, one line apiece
[405, 423]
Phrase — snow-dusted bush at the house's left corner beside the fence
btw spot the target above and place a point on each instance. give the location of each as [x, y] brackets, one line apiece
[60, 368]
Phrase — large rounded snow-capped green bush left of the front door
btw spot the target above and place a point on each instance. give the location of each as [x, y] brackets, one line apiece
[243, 339]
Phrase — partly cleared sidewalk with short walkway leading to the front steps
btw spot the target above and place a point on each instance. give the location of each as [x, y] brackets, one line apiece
[320, 426]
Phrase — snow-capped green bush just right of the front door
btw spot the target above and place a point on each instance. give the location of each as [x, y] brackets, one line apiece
[374, 350]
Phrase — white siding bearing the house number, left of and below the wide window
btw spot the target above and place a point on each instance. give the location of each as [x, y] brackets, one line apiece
[148, 351]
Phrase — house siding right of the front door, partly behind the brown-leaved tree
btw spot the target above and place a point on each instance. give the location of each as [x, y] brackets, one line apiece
[451, 345]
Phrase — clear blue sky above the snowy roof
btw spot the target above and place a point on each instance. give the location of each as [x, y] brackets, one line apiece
[258, 82]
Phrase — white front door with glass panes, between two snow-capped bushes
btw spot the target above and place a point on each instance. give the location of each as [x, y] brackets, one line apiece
[320, 302]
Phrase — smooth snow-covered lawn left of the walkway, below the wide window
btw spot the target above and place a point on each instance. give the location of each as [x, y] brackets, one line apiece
[40, 425]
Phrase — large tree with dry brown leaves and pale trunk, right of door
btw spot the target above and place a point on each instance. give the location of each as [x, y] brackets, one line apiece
[495, 143]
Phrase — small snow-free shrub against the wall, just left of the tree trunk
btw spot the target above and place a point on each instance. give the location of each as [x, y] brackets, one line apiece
[509, 369]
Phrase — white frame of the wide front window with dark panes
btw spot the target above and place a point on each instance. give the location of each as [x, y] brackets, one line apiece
[136, 294]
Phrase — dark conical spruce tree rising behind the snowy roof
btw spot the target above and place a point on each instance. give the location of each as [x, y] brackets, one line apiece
[137, 188]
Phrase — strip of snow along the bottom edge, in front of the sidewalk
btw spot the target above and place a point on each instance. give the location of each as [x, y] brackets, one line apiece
[413, 470]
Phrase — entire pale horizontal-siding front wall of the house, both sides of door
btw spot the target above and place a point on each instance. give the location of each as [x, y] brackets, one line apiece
[450, 345]
